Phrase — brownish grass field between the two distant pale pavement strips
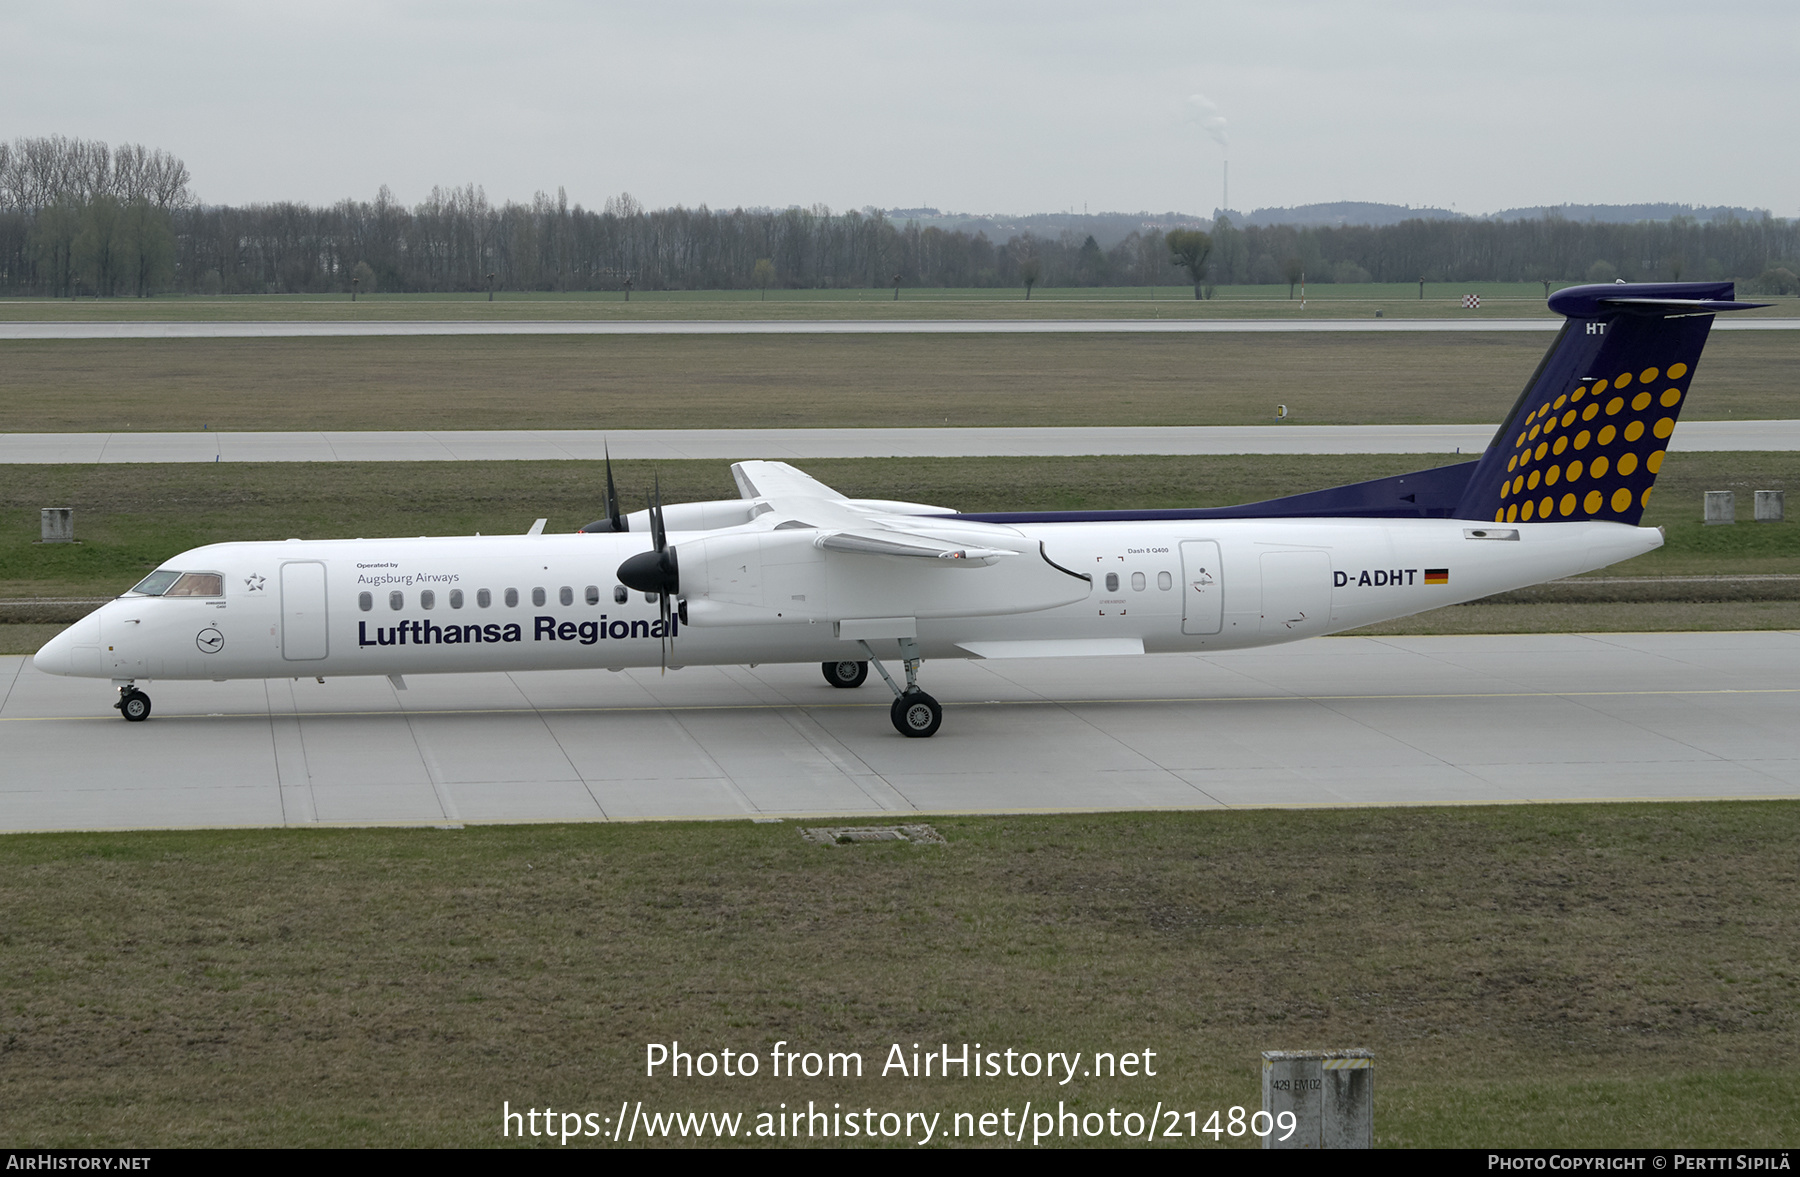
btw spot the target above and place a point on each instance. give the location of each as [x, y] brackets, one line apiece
[818, 381]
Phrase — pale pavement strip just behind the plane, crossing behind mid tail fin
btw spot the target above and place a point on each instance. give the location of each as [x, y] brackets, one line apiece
[802, 444]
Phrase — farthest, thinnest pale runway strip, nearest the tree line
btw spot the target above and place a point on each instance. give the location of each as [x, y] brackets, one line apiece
[796, 327]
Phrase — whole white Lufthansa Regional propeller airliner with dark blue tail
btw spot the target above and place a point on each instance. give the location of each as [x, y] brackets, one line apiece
[796, 573]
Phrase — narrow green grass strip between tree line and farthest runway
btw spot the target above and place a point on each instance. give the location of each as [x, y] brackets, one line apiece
[1329, 301]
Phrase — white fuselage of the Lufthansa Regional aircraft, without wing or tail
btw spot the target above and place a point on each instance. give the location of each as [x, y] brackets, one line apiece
[499, 604]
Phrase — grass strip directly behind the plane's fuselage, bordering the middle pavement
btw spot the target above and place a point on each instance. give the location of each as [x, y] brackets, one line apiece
[132, 517]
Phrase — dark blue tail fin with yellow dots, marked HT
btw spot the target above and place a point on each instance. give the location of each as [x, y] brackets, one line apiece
[1588, 435]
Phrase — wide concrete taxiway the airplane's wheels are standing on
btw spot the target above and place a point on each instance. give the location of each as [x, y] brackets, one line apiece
[1347, 721]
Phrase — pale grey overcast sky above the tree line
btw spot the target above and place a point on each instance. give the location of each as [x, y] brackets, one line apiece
[969, 105]
